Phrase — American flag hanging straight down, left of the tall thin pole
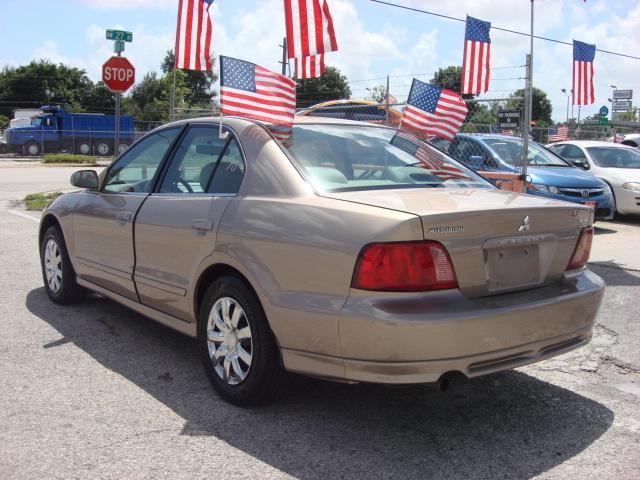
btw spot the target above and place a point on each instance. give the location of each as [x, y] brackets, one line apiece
[477, 56]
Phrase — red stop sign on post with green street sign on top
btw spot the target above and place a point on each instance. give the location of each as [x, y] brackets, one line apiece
[118, 75]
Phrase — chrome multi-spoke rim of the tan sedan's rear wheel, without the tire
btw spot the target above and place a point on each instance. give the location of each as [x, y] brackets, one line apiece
[229, 341]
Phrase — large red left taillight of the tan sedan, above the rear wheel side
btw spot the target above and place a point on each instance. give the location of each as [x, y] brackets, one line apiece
[404, 267]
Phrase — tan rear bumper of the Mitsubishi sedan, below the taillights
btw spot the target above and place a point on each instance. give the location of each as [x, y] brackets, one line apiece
[409, 338]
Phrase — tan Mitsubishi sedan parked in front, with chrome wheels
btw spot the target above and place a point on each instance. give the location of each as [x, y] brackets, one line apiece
[341, 250]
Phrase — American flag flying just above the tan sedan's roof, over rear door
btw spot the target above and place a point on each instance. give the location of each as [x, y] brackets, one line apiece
[248, 90]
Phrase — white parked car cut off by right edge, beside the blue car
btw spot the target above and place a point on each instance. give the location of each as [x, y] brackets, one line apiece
[616, 164]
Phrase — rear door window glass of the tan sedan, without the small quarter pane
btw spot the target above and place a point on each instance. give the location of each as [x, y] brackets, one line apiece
[194, 162]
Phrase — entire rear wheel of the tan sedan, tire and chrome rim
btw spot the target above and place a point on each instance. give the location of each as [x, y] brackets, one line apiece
[239, 353]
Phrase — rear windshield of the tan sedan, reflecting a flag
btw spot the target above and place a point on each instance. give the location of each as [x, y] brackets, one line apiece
[345, 158]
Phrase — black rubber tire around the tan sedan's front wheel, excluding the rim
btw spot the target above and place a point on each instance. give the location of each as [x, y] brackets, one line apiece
[68, 290]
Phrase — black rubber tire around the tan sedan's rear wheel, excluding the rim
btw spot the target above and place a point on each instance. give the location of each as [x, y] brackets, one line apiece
[264, 378]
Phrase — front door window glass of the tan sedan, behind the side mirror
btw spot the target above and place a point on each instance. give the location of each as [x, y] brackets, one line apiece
[136, 169]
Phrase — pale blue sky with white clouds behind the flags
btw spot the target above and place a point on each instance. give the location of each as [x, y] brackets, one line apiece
[374, 40]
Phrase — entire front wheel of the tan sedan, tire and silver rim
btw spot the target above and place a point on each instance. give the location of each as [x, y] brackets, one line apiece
[57, 271]
